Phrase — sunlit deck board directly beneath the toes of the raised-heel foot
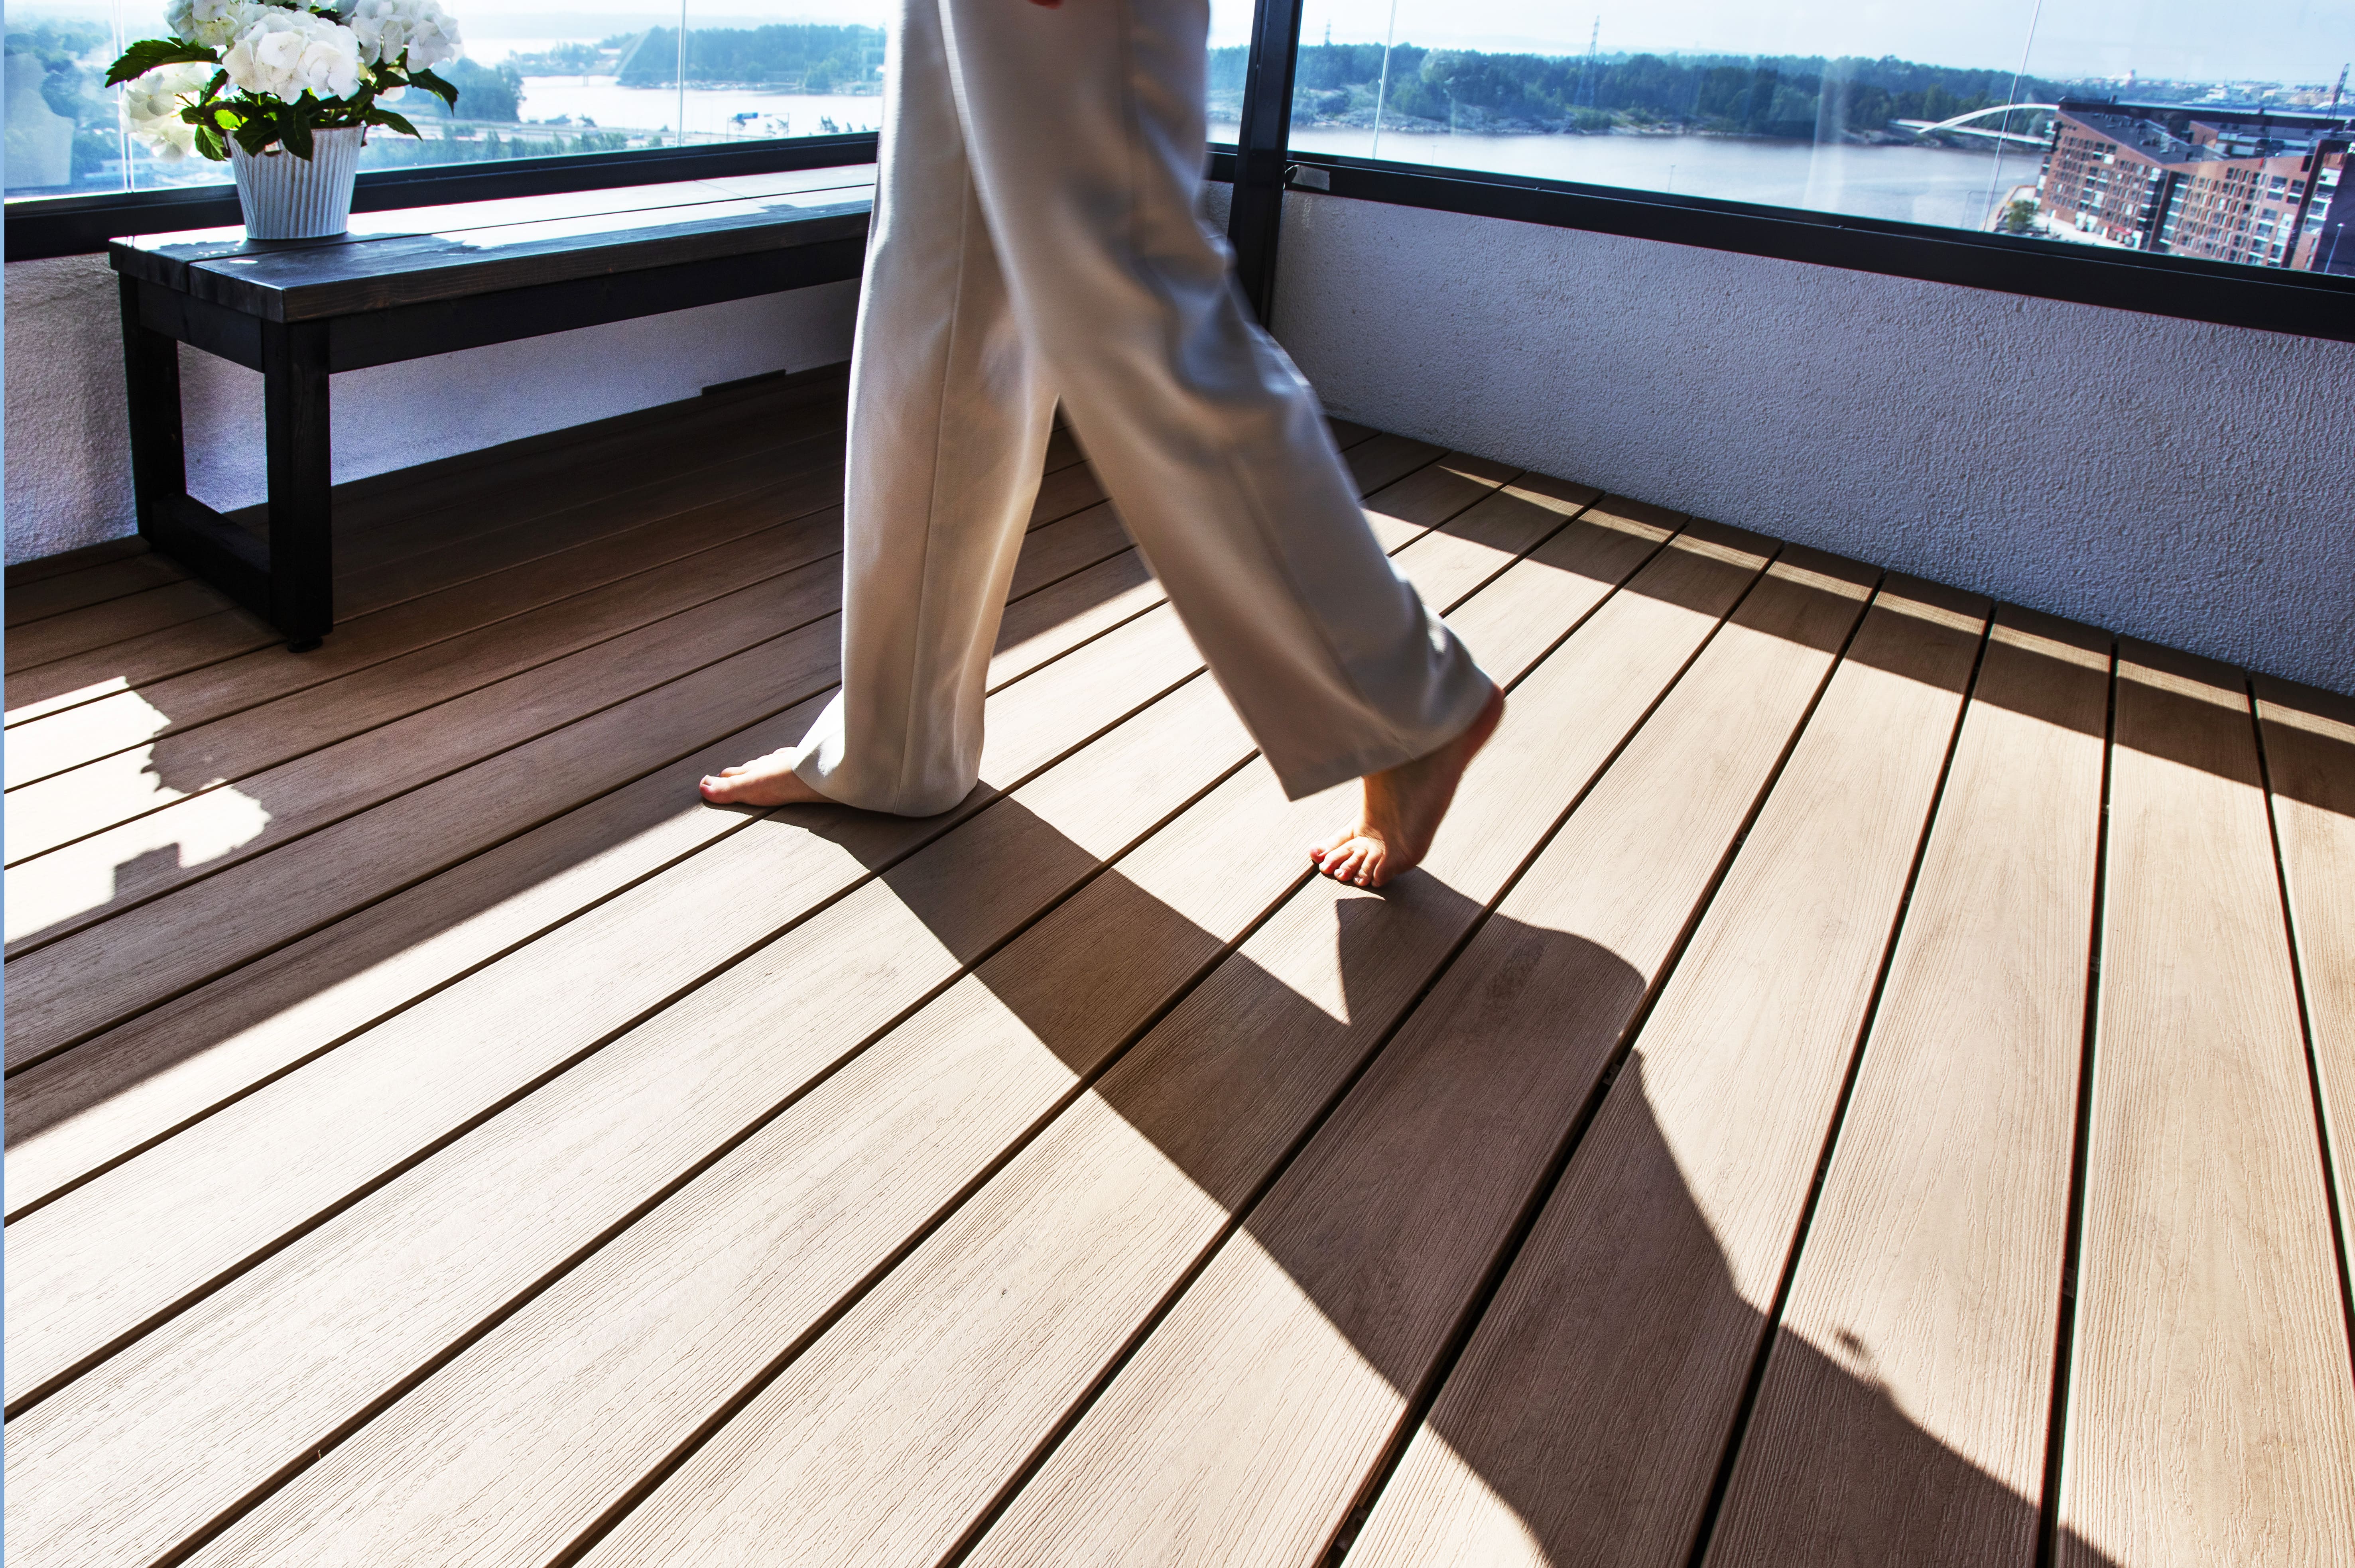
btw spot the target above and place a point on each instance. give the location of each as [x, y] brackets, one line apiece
[971, 1350]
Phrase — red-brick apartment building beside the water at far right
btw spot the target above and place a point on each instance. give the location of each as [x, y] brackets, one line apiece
[2194, 182]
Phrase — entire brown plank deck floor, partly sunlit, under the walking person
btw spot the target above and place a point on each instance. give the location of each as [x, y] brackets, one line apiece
[1864, 1079]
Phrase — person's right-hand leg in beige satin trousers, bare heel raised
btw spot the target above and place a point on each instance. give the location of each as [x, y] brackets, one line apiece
[1087, 138]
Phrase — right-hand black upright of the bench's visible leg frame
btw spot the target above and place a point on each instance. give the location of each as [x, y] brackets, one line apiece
[296, 411]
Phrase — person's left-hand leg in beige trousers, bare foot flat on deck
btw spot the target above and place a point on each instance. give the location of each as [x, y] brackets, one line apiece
[948, 437]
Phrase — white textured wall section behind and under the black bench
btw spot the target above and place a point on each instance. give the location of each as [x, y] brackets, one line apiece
[69, 458]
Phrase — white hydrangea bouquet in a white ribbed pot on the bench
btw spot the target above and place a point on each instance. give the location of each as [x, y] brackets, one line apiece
[286, 93]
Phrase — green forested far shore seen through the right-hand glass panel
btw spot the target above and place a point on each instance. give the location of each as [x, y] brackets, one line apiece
[1744, 95]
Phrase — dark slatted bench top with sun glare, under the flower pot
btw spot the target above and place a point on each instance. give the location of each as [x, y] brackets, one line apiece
[479, 248]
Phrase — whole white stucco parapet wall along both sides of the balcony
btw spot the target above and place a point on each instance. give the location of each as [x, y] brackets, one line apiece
[2165, 479]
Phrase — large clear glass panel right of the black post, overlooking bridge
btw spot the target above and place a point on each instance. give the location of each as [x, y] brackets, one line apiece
[2156, 124]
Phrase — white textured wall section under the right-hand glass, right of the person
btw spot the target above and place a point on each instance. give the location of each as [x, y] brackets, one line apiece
[2165, 479]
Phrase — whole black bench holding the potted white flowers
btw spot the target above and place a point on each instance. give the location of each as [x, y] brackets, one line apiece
[413, 284]
